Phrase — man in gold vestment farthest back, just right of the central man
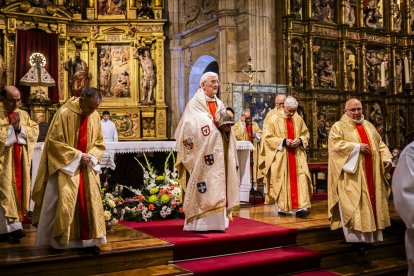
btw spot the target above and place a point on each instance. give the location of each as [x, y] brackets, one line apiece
[246, 131]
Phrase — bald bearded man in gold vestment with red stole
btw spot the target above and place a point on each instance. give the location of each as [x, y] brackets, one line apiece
[357, 188]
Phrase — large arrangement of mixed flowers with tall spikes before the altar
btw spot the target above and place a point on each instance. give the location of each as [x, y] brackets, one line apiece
[159, 199]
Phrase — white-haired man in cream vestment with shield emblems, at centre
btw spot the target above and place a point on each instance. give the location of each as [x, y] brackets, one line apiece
[207, 160]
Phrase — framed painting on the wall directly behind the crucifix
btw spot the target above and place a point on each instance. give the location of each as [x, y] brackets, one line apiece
[260, 99]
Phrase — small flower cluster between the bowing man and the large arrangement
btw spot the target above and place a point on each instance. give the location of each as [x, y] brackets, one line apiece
[112, 204]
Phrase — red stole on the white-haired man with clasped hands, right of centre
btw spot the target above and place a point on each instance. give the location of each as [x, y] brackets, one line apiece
[292, 165]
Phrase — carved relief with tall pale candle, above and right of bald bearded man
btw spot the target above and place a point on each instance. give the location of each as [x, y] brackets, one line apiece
[377, 67]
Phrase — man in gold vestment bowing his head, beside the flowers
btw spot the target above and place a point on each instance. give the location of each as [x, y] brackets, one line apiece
[68, 206]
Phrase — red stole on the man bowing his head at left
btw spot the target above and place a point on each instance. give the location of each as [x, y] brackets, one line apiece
[82, 206]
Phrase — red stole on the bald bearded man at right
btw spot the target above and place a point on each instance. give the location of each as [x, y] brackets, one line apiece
[369, 170]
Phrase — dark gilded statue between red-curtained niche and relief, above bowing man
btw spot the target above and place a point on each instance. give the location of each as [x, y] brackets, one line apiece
[78, 74]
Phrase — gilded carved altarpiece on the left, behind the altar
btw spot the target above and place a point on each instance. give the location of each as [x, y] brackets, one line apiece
[114, 33]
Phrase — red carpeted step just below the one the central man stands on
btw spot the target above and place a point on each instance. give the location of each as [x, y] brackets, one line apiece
[266, 262]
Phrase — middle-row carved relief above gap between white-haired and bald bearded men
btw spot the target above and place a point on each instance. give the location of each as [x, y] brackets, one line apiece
[325, 64]
